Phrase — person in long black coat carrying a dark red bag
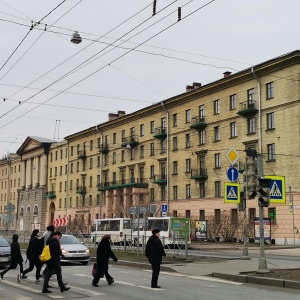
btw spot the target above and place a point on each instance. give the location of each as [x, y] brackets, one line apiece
[104, 252]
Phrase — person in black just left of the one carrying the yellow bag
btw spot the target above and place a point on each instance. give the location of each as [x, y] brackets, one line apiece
[33, 253]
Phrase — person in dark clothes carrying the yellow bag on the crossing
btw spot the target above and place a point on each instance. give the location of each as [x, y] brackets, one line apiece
[53, 264]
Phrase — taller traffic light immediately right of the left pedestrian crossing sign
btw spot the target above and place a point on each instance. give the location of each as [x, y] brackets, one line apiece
[250, 182]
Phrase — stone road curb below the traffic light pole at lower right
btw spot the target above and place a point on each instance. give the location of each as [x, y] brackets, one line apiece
[259, 280]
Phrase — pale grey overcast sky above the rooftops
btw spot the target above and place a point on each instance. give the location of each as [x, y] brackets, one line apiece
[128, 59]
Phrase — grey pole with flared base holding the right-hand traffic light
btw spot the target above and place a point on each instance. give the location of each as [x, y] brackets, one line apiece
[262, 260]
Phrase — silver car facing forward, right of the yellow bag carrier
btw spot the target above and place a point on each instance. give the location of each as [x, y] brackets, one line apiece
[73, 250]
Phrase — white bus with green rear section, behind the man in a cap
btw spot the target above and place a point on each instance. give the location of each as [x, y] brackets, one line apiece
[173, 230]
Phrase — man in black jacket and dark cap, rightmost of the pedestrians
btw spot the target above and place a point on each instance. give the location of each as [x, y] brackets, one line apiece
[154, 252]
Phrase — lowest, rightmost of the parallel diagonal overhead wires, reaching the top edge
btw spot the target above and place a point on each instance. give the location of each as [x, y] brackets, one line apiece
[104, 66]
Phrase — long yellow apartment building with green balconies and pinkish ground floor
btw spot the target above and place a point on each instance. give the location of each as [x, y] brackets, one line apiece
[174, 152]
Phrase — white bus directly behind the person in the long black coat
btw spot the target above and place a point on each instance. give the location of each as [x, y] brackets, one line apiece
[117, 228]
